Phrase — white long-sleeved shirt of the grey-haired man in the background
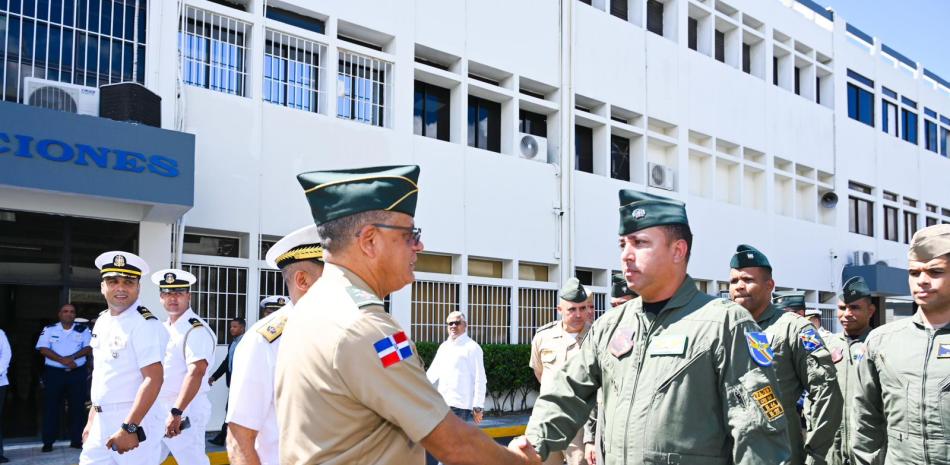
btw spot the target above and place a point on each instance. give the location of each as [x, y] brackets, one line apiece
[459, 370]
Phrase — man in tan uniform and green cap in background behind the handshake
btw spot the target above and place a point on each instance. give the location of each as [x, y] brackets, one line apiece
[554, 343]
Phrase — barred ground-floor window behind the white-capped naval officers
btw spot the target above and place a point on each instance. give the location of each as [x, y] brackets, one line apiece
[219, 295]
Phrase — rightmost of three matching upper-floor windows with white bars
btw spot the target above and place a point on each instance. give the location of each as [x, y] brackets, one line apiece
[363, 88]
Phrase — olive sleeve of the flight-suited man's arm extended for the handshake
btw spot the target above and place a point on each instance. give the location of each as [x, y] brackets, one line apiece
[565, 401]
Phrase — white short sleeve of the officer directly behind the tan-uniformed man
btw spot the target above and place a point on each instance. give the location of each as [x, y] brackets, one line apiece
[252, 383]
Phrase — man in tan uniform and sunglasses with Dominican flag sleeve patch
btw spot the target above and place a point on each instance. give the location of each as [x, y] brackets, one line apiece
[350, 385]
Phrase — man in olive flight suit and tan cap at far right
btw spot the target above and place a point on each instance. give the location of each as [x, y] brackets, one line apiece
[902, 406]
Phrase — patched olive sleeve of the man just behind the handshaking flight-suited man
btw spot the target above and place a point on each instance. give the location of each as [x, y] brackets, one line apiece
[817, 371]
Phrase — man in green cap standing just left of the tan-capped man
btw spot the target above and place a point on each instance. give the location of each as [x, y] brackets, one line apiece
[855, 309]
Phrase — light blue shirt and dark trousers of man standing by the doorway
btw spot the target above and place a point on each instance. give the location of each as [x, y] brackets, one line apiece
[62, 382]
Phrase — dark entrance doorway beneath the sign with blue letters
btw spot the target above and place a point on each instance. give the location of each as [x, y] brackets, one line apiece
[45, 262]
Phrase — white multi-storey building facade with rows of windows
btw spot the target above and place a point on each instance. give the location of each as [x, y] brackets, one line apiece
[777, 122]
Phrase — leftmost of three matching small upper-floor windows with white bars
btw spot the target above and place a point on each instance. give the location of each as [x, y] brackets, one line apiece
[213, 51]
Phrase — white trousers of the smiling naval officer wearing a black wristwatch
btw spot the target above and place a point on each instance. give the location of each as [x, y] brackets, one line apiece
[107, 422]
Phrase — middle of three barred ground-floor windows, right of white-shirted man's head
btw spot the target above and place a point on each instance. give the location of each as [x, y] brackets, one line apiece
[489, 313]
